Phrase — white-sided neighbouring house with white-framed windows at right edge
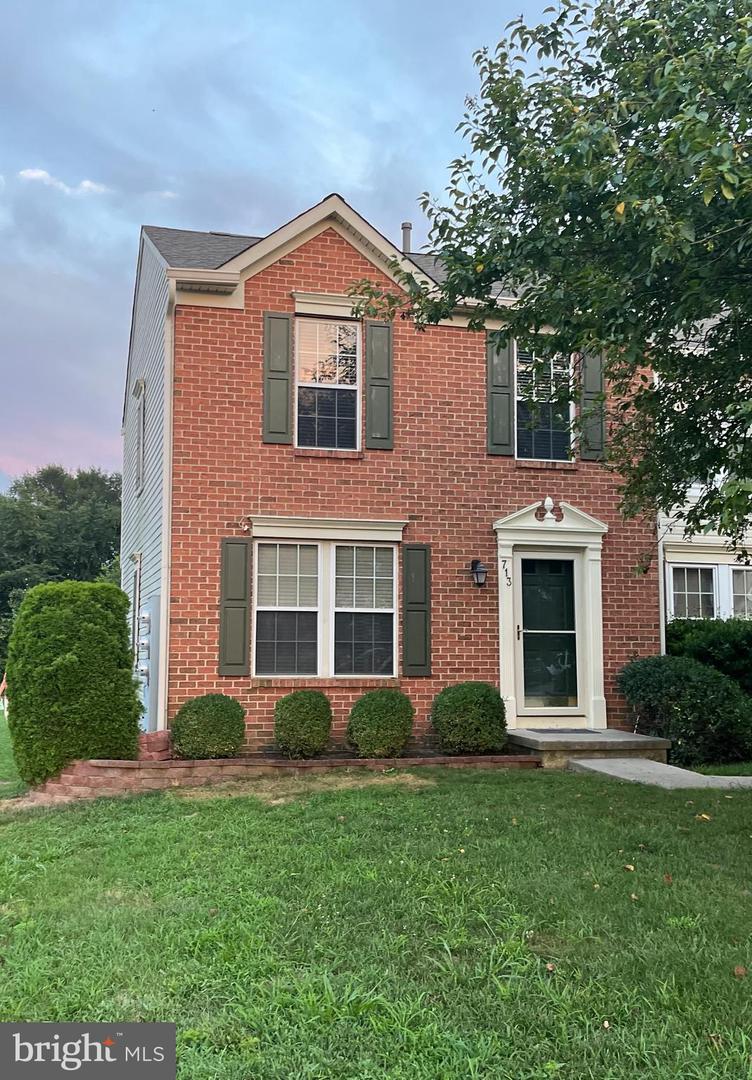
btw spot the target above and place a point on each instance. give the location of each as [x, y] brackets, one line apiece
[703, 578]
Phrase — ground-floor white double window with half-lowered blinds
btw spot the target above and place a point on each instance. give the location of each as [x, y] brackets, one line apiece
[325, 609]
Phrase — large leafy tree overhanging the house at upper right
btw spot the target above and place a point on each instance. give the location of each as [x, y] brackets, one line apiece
[609, 190]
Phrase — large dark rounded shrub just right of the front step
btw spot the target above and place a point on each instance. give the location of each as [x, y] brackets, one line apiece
[705, 713]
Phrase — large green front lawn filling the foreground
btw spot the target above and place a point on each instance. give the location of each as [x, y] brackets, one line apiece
[463, 924]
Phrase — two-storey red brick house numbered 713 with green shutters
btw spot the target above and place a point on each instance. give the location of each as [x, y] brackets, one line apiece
[306, 494]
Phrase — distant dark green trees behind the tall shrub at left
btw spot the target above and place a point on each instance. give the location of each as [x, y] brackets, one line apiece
[55, 525]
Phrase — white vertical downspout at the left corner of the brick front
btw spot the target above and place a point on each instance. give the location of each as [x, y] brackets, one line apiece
[166, 568]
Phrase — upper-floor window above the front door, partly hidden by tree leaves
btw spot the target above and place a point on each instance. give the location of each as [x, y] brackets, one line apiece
[544, 427]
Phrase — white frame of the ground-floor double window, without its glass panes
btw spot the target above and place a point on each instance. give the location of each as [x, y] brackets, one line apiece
[327, 568]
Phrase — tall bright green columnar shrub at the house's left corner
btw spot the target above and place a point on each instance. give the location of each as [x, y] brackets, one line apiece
[72, 690]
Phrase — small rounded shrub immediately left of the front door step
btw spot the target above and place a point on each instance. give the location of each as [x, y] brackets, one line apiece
[469, 719]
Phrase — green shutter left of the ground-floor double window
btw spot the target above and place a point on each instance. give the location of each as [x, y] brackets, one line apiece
[235, 607]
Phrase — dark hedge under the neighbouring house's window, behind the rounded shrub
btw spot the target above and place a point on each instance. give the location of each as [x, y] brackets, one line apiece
[724, 644]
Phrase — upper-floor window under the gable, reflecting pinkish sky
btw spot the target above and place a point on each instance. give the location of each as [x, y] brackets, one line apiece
[327, 387]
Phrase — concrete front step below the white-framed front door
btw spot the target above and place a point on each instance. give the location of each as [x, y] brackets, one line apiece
[557, 748]
